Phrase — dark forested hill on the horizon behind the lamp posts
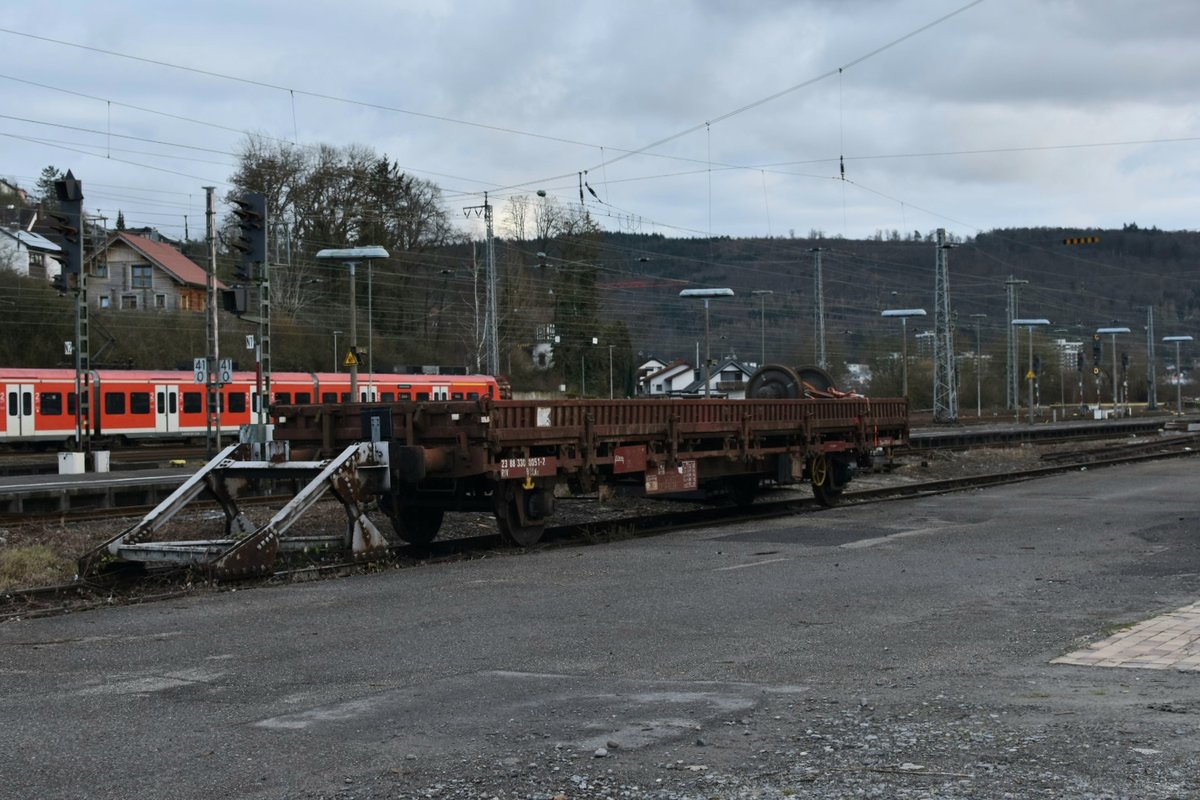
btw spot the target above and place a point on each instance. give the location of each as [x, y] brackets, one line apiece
[1077, 286]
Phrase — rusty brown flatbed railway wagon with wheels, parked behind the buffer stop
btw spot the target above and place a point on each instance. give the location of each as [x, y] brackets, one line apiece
[514, 458]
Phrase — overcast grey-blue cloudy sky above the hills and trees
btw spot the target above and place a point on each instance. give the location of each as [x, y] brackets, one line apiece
[689, 118]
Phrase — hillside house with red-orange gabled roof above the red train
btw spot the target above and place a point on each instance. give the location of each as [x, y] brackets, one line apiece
[136, 272]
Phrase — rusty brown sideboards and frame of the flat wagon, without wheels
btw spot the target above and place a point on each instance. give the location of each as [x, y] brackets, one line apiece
[491, 438]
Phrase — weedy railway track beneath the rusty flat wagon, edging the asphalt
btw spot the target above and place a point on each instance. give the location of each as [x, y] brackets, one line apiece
[130, 586]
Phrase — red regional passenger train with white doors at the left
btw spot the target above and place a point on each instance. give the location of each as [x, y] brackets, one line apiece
[39, 406]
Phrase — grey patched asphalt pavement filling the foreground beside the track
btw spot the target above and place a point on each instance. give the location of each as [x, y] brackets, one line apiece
[926, 648]
